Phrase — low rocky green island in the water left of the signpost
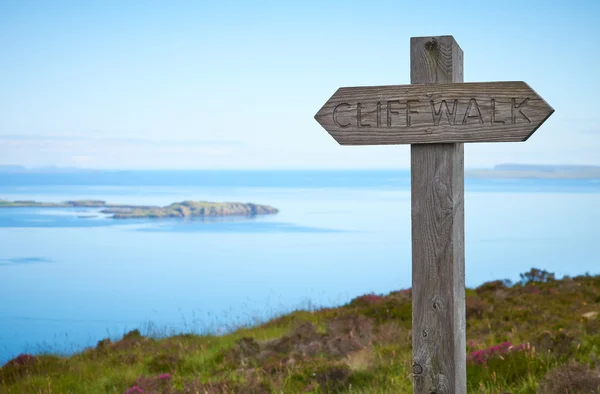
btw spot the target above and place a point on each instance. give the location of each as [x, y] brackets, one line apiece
[185, 209]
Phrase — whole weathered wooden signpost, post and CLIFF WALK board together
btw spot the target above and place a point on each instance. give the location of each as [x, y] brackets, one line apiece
[436, 115]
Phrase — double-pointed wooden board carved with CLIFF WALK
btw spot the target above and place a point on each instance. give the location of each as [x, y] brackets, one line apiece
[434, 113]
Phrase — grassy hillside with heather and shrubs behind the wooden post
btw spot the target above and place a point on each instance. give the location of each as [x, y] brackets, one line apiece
[539, 335]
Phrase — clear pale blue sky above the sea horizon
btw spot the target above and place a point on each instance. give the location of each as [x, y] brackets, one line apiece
[208, 84]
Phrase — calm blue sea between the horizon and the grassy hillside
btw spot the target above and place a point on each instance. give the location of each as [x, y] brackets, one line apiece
[70, 277]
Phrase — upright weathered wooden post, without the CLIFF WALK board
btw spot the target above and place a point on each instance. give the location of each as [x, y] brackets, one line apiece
[438, 255]
